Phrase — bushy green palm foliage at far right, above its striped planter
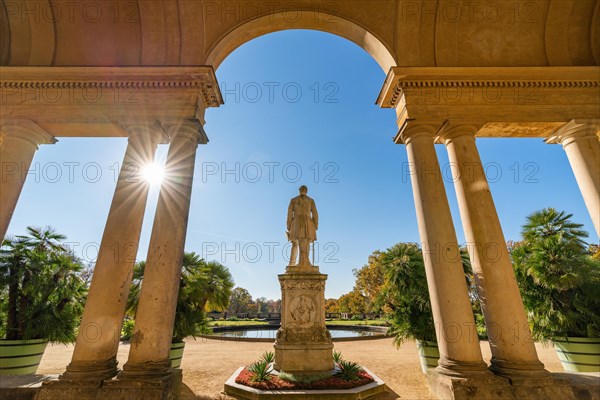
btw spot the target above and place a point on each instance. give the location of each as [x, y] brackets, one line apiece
[558, 278]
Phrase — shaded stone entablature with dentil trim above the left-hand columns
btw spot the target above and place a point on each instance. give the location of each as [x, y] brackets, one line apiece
[97, 101]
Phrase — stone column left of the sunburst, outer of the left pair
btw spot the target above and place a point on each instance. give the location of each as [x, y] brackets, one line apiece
[94, 357]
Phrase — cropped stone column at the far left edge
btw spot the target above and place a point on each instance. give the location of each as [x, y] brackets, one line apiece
[19, 140]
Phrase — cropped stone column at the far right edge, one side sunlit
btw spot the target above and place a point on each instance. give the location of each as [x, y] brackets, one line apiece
[582, 145]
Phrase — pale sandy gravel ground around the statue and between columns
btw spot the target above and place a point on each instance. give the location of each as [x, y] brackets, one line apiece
[207, 363]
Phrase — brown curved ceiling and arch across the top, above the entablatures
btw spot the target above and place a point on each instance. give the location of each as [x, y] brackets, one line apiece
[412, 33]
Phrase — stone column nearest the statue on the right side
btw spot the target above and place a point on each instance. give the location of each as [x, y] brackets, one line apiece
[458, 343]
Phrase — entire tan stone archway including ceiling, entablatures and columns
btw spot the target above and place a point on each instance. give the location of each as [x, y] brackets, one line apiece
[444, 58]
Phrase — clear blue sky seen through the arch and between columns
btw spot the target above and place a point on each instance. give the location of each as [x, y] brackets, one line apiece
[299, 109]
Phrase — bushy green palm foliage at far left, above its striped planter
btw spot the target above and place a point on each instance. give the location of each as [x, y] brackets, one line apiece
[44, 293]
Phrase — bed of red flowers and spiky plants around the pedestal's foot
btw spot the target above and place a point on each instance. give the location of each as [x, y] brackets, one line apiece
[276, 383]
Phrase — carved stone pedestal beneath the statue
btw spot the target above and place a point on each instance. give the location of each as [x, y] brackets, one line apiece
[303, 345]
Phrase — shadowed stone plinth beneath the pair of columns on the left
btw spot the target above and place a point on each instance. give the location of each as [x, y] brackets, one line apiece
[166, 387]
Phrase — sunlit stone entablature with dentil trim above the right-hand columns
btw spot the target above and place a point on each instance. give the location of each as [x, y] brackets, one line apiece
[504, 102]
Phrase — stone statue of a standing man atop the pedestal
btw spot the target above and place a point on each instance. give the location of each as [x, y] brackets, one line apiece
[302, 225]
